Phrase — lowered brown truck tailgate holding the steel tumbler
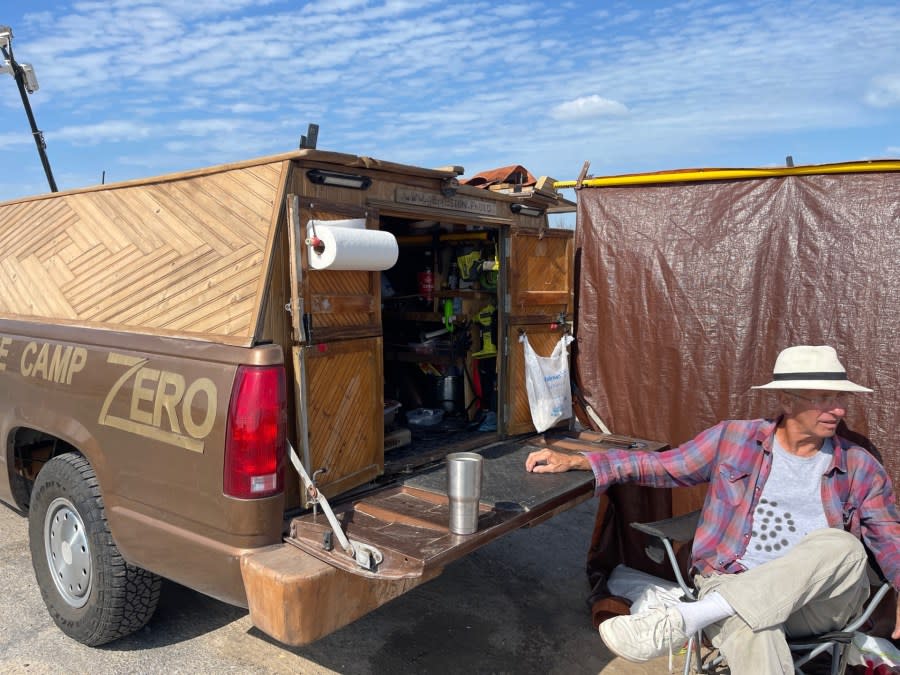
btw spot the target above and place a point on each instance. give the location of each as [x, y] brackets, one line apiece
[408, 521]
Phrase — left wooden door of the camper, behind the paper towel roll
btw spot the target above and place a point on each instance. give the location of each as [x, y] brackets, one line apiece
[337, 358]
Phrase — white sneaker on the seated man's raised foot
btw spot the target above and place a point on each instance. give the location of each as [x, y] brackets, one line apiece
[644, 636]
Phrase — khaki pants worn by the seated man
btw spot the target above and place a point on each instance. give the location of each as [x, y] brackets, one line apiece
[820, 585]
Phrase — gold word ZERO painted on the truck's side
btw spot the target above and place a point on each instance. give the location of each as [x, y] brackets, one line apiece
[161, 404]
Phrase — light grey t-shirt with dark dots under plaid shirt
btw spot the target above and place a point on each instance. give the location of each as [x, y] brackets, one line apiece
[790, 506]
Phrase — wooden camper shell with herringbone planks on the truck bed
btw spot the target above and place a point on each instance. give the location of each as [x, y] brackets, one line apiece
[205, 255]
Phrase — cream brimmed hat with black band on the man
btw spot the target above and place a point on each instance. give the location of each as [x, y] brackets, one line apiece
[806, 367]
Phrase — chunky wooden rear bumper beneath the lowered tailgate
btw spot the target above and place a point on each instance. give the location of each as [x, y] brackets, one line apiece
[296, 598]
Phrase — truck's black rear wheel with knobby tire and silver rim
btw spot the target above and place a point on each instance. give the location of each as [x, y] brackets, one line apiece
[93, 595]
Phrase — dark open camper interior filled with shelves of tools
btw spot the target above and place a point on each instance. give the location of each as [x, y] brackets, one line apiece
[440, 319]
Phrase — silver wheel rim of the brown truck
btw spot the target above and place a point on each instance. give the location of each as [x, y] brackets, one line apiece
[68, 552]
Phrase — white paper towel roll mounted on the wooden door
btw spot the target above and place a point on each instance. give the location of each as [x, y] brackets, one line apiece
[349, 248]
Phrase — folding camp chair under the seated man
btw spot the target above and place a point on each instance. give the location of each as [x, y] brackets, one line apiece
[681, 529]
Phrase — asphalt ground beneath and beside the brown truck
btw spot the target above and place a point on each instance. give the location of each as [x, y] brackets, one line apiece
[515, 606]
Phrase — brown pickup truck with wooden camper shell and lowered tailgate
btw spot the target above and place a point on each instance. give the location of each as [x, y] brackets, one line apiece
[190, 389]
